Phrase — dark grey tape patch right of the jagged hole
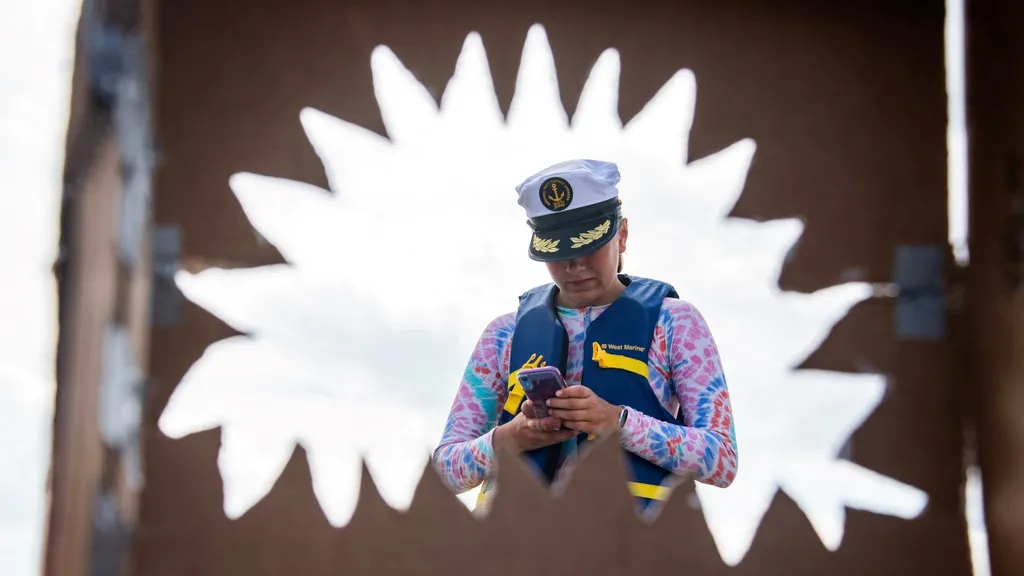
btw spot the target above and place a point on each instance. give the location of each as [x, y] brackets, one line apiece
[919, 272]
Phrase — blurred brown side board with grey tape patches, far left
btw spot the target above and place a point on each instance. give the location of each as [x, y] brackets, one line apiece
[105, 278]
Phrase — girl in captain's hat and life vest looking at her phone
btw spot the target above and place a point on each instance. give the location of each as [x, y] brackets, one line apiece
[639, 361]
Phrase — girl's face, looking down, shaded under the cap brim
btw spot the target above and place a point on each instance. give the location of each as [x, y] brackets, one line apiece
[591, 280]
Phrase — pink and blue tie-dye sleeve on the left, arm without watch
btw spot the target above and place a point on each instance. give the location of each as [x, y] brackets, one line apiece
[465, 455]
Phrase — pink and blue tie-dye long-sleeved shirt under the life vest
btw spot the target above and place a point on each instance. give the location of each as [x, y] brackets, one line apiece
[686, 373]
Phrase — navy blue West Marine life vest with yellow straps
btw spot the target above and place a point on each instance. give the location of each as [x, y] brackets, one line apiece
[615, 367]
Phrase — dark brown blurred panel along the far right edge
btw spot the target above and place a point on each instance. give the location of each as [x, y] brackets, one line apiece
[996, 311]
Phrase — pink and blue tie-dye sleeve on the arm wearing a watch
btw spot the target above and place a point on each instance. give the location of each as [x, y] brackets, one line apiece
[706, 446]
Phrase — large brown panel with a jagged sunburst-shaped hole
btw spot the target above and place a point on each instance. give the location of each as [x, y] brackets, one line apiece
[845, 100]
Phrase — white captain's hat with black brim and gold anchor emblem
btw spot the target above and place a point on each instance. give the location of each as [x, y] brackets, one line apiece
[573, 208]
